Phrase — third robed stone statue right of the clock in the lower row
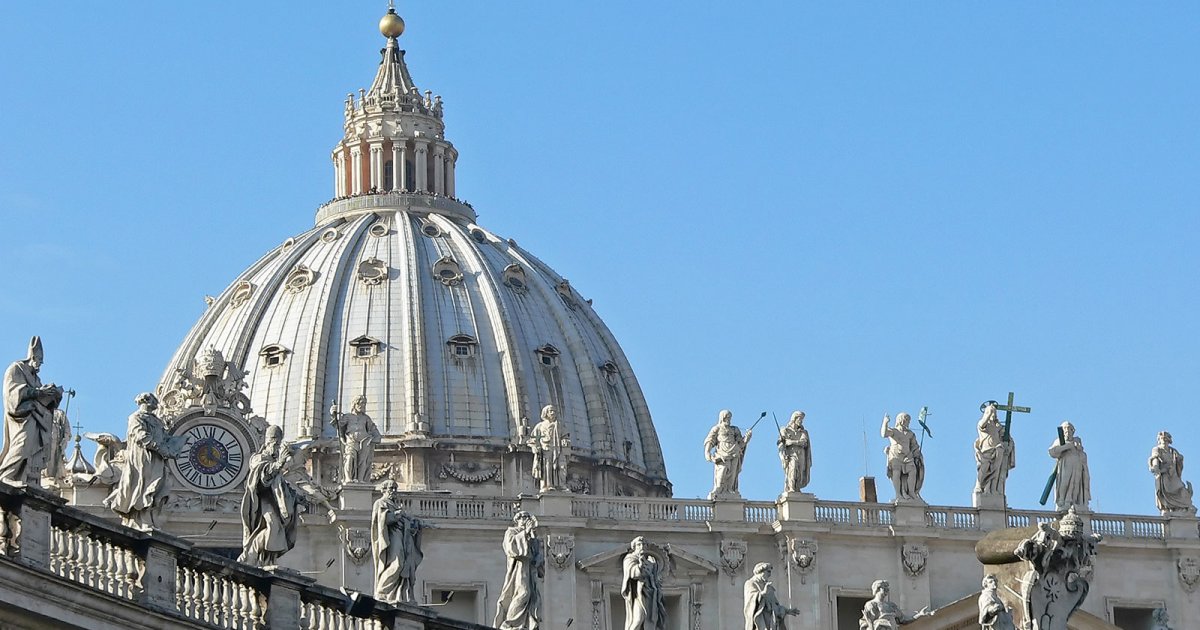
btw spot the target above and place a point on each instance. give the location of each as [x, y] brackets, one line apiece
[519, 607]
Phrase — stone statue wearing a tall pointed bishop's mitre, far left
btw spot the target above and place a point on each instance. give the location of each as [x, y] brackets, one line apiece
[29, 419]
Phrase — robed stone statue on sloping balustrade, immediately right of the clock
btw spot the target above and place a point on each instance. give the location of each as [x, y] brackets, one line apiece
[271, 505]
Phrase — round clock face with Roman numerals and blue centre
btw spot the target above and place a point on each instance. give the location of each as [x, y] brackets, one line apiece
[215, 454]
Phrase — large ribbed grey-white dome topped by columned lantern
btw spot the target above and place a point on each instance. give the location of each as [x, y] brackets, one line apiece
[455, 337]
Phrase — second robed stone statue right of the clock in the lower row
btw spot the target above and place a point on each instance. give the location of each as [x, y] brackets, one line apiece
[395, 547]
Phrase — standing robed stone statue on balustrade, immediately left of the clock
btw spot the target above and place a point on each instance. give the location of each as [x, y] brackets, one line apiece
[142, 488]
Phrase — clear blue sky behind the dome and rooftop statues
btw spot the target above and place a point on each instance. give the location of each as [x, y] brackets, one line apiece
[845, 209]
